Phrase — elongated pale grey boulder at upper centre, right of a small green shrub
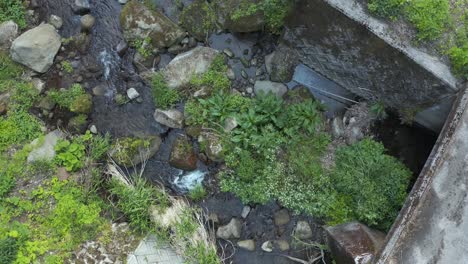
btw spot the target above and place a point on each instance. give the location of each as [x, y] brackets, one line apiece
[181, 69]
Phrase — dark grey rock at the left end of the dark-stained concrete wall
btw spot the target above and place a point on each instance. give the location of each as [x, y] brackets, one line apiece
[281, 64]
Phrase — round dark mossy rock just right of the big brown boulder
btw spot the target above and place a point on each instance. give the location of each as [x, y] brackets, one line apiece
[199, 19]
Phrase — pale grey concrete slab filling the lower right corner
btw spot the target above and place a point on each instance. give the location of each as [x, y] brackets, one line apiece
[433, 225]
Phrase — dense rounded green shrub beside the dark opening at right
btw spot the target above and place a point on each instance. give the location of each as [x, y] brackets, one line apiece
[373, 183]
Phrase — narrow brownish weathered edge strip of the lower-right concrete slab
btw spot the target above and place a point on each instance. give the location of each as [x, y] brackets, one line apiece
[425, 178]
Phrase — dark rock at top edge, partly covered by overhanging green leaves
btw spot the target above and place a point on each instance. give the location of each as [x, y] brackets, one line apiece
[247, 23]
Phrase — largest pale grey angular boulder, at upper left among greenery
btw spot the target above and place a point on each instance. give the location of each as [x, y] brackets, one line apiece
[37, 47]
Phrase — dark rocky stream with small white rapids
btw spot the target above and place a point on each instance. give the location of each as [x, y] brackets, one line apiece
[100, 65]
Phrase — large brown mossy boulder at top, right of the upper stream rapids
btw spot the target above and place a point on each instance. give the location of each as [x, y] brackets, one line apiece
[139, 22]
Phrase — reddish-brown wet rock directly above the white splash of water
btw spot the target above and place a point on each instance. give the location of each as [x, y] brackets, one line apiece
[183, 156]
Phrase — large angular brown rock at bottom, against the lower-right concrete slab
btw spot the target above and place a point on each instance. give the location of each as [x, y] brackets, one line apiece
[354, 241]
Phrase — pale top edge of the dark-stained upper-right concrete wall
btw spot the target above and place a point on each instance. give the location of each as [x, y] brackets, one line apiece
[355, 11]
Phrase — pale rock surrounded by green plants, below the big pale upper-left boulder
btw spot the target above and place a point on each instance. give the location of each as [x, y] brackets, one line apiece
[46, 150]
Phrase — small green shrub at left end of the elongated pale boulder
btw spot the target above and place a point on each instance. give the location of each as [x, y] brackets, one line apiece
[163, 96]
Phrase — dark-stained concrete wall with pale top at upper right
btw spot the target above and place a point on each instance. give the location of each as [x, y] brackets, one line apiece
[338, 39]
